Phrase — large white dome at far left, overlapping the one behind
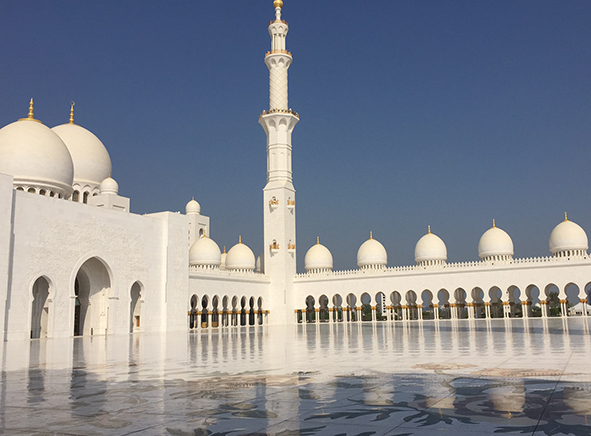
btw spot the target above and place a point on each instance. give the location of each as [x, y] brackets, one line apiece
[36, 157]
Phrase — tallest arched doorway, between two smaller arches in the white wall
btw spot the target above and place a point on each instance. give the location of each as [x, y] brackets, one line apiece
[91, 288]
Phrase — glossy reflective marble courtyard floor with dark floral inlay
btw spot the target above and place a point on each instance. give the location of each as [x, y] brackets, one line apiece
[467, 377]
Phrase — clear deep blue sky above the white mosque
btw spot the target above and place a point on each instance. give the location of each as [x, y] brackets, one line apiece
[413, 113]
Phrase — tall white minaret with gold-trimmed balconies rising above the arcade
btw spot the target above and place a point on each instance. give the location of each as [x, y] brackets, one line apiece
[279, 193]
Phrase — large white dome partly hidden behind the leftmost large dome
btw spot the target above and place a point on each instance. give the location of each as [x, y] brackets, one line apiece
[92, 163]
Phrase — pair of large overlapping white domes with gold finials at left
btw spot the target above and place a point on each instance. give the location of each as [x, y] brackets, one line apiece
[54, 159]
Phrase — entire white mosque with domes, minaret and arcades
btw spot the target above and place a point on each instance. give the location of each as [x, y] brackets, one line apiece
[75, 261]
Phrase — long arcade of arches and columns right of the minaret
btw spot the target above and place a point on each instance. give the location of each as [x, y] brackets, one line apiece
[511, 302]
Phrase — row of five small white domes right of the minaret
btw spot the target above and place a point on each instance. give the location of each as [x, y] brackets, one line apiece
[567, 239]
